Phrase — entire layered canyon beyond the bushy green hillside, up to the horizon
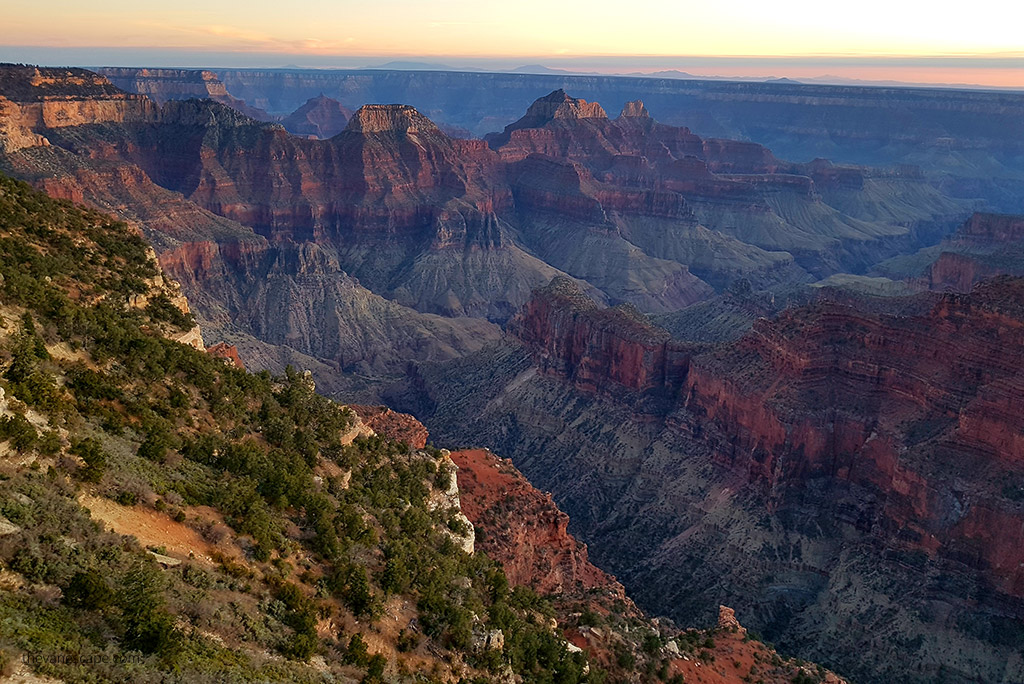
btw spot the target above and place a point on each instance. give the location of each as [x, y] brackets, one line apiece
[670, 329]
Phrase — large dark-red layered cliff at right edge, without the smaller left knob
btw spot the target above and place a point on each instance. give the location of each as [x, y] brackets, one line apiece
[884, 403]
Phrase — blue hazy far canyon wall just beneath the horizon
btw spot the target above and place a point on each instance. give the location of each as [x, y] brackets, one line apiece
[964, 134]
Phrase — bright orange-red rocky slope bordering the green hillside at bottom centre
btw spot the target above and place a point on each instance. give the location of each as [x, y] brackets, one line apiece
[525, 531]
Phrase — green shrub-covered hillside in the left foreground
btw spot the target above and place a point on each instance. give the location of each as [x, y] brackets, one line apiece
[266, 540]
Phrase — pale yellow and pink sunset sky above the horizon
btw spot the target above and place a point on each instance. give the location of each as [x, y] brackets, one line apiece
[978, 42]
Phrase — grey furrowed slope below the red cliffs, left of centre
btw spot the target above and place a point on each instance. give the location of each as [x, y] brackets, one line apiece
[298, 296]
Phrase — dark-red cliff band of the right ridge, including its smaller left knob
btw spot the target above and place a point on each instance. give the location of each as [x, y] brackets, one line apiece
[833, 392]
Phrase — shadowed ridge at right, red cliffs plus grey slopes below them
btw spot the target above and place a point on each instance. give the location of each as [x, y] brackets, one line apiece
[836, 475]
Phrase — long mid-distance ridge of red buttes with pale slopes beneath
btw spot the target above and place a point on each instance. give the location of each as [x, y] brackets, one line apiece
[645, 213]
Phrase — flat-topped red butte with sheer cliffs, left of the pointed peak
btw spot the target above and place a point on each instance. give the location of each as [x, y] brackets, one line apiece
[393, 180]
